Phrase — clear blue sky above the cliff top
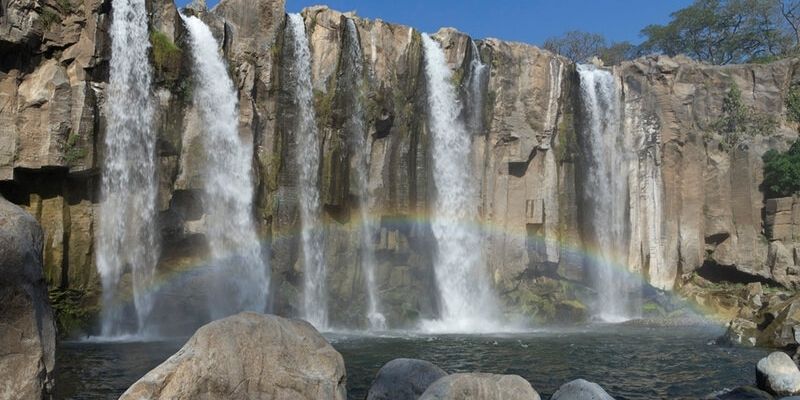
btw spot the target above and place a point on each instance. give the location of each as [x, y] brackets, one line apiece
[530, 21]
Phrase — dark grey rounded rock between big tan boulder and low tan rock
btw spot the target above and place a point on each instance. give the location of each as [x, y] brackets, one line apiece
[404, 379]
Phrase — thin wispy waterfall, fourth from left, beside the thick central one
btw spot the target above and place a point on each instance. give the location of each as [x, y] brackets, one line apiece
[362, 147]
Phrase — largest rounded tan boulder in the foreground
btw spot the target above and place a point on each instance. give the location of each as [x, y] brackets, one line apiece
[248, 356]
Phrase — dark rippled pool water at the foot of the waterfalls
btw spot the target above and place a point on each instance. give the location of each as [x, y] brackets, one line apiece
[629, 362]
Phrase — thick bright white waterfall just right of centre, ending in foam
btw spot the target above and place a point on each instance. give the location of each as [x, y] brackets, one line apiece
[467, 303]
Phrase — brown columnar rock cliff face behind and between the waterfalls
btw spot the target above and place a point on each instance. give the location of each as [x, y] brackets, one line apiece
[693, 206]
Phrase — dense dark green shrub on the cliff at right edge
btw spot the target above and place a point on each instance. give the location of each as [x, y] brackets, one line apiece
[782, 172]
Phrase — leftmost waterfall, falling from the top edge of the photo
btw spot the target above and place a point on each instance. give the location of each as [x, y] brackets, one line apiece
[126, 237]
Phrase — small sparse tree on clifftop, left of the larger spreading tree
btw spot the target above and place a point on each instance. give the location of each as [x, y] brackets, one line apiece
[580, 46]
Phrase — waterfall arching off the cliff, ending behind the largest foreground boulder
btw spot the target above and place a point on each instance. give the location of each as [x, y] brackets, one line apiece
[241, 281]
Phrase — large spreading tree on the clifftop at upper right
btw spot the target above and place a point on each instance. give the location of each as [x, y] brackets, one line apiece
[724, 31]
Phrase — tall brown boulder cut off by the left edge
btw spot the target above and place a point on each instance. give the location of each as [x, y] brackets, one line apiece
[27, 330]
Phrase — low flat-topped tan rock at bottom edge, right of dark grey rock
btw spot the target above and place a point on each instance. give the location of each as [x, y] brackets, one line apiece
[480, 387]
